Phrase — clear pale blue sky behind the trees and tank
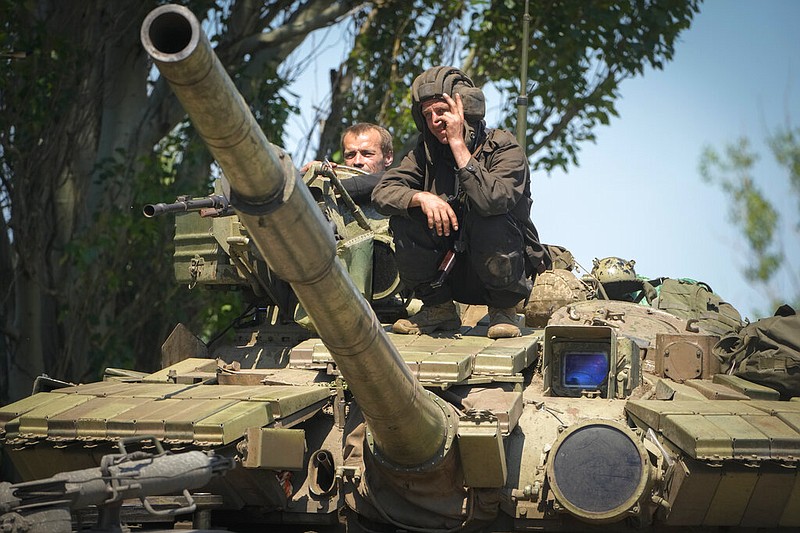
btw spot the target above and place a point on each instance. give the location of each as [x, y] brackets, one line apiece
[637, 192]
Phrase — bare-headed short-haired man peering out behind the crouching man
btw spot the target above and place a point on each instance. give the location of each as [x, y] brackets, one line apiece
[367, 147]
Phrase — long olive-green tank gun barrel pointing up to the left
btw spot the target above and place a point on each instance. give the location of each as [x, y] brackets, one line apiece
[407, 425]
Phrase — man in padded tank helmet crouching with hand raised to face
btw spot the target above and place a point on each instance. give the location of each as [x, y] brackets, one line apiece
[464, 188]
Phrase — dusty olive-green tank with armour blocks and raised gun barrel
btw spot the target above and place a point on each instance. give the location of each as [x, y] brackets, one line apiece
[603, 416]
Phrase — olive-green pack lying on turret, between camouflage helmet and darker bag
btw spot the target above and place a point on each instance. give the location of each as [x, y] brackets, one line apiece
[689, 299]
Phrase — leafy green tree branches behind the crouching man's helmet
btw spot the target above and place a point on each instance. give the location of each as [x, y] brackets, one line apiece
[579, 54]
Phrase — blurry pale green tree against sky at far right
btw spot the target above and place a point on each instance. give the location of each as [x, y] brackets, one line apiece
[751, 211]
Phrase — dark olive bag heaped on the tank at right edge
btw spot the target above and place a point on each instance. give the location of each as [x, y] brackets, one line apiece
[766, 352]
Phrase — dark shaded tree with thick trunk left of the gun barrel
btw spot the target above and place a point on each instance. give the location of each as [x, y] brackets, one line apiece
[87, 138]
